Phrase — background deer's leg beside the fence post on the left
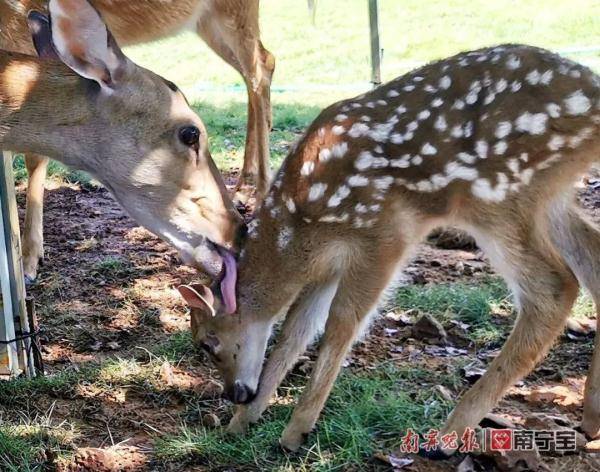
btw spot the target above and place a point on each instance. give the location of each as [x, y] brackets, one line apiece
[33, 237]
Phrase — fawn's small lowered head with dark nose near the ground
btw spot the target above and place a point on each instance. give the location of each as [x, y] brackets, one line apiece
[235, 343]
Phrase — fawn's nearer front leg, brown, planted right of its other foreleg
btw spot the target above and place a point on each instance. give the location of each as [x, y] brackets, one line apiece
[358, 293]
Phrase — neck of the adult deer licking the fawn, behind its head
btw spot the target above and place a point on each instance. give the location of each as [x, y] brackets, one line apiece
[45, 108]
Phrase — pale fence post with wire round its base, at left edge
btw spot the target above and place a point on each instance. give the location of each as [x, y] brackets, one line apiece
[14, 358]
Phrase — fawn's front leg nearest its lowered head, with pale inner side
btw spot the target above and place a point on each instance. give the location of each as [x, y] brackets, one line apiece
[303, 322]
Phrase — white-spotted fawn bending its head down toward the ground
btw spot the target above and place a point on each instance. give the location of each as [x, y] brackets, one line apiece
[490, 141]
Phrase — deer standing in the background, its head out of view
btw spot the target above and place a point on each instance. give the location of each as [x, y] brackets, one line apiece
[229, 27]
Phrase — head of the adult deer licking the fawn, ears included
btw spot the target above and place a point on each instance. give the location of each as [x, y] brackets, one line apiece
[142, 140]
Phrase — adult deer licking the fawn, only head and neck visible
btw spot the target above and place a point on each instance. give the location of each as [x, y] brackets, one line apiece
[89, 106]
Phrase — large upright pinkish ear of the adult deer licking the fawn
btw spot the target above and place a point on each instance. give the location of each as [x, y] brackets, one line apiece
[83, 42]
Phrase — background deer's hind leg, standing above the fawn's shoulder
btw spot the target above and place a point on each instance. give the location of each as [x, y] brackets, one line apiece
[242, 49]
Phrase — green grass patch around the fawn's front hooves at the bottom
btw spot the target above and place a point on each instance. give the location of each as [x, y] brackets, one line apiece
[365, 413]
